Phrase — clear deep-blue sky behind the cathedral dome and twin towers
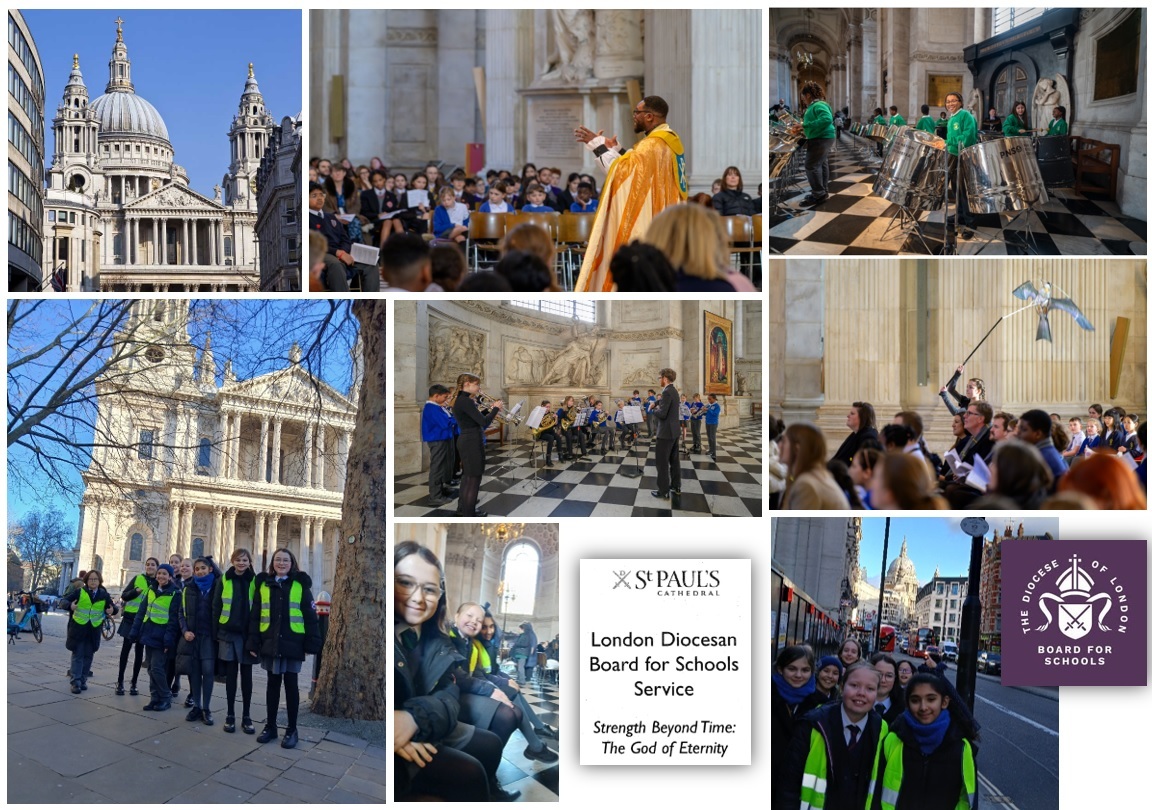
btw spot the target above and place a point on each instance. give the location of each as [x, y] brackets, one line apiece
[199, 96]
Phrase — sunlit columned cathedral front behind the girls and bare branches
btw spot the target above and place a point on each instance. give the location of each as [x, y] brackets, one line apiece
[185, 464]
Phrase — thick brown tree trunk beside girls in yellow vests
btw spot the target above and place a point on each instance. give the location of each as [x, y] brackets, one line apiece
[352, 683]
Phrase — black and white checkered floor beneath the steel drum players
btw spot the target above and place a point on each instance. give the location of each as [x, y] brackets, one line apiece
[855, 223]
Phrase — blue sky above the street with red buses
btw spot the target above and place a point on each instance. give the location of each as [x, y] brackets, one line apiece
[935, 542]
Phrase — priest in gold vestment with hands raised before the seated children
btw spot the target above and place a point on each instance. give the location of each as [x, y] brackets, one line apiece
[641, 184]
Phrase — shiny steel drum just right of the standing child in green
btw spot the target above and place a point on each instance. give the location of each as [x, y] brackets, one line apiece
[1003, 177]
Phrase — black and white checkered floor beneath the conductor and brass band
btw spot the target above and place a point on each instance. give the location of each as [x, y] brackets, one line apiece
[596, 486]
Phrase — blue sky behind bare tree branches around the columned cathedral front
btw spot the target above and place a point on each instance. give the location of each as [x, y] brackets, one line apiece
[255, 335]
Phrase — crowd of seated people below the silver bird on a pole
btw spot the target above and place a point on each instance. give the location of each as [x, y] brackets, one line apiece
[998, 461]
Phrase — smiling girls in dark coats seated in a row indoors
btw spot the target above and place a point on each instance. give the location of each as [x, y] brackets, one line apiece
[454, 709]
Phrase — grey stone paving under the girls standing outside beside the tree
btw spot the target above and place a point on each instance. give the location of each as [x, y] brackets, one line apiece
[98, 747]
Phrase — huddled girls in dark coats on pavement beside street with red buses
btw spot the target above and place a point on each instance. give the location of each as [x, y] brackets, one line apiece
[861, 741]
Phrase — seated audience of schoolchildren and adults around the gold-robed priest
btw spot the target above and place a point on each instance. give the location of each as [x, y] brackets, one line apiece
[686, 249]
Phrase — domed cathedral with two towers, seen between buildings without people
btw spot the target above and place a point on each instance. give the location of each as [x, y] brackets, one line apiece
[119, 213]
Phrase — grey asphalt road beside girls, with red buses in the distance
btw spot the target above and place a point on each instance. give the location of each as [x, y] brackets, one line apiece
[1019, 758]
